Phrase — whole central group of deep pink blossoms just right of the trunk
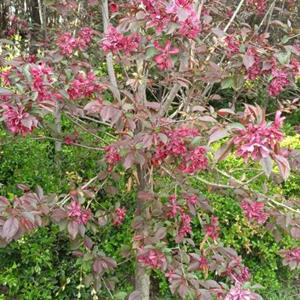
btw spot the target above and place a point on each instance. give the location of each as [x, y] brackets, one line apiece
[191, 161]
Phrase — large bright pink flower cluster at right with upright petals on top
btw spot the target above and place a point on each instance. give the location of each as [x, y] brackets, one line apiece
[259, 140]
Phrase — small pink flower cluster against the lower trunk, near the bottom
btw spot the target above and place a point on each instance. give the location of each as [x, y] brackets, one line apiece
[152, 258]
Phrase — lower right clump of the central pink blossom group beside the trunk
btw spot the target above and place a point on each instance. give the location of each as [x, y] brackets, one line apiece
[194, 161]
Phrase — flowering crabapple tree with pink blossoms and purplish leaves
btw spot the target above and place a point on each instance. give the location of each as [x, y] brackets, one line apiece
[161, 101]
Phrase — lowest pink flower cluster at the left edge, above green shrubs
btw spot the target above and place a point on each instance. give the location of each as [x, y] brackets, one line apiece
[17, 120]
